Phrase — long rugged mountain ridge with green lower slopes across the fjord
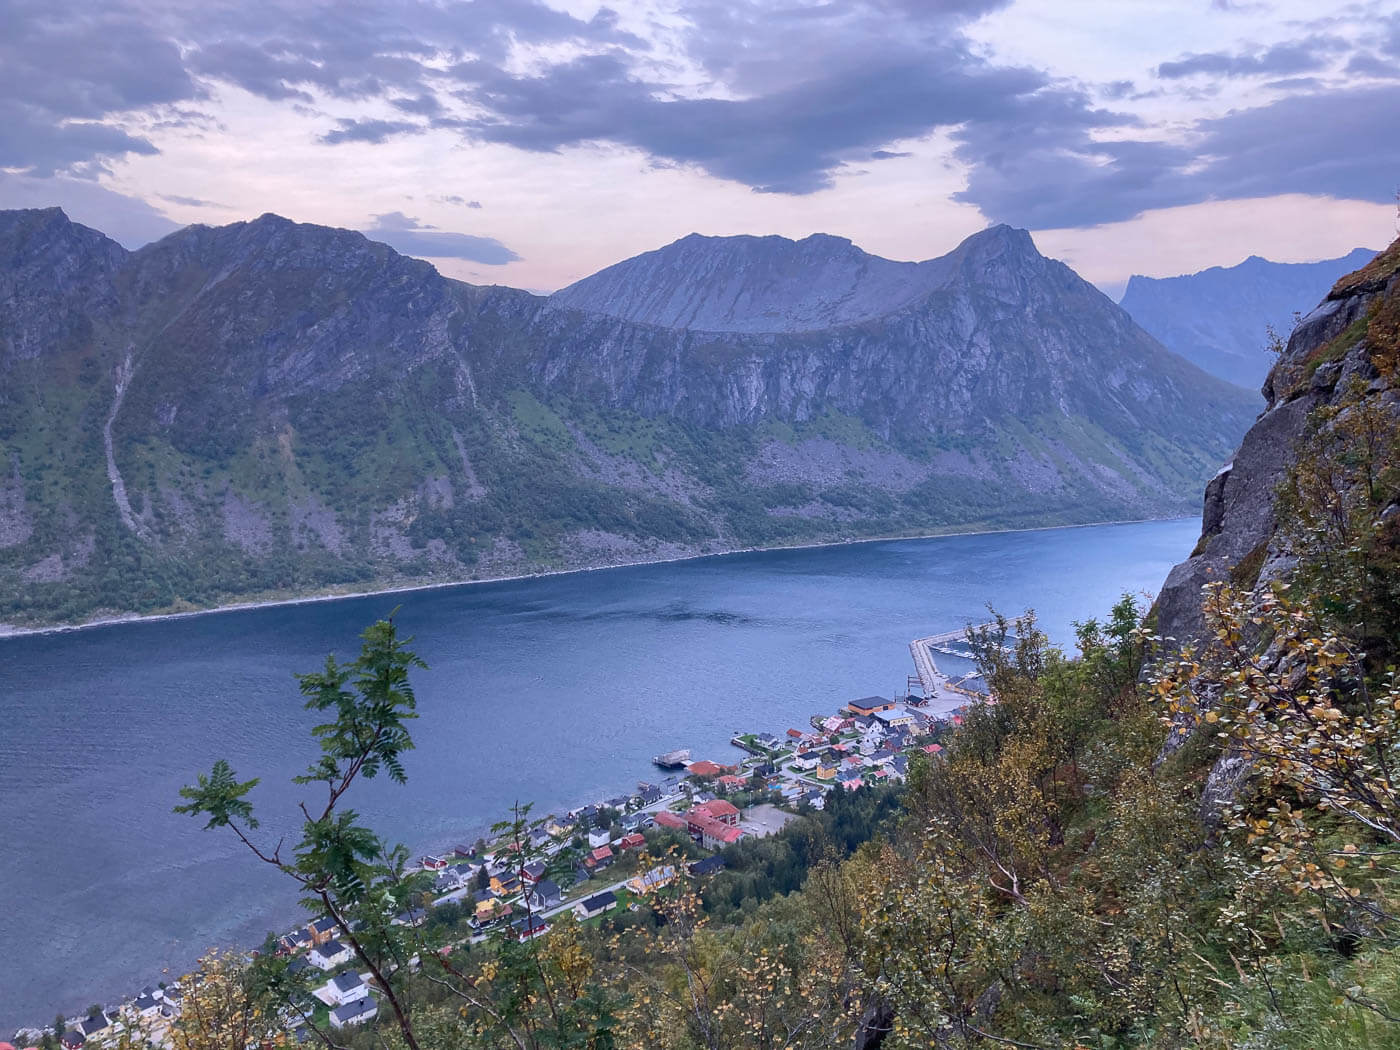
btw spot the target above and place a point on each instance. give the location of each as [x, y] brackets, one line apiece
[271, 409]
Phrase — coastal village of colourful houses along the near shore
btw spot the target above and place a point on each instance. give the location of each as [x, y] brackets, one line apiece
[600, 859]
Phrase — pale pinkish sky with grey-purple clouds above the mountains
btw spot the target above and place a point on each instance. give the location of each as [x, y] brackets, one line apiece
[534, 142]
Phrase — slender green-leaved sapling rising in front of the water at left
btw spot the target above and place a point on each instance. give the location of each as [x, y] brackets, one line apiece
[341, 866]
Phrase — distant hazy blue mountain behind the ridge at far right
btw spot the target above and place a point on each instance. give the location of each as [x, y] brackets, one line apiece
[1220, 318]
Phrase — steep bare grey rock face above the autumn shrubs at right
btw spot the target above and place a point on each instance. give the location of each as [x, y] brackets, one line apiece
[1240, 526]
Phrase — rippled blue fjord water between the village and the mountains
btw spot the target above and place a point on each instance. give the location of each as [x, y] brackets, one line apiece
[555, 689]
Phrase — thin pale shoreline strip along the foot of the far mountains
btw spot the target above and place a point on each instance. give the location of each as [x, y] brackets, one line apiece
[17, 632]
